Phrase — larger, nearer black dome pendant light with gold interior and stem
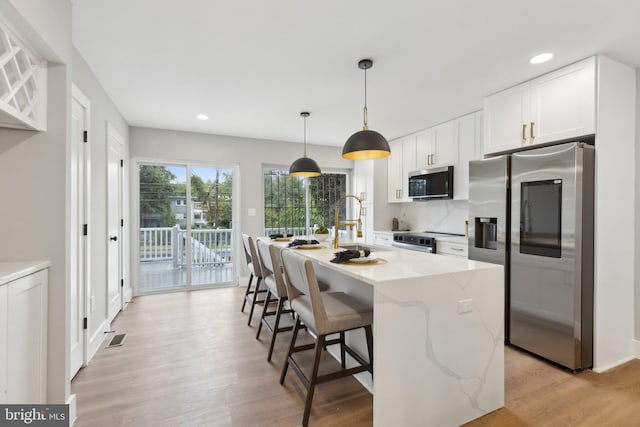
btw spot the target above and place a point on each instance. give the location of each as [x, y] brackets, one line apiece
[366, 144]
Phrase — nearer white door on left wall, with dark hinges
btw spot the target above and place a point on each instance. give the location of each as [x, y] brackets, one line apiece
[78, 272]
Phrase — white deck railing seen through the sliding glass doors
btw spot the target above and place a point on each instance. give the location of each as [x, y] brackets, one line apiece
[210, 248]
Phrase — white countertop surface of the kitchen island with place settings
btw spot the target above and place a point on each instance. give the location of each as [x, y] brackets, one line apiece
[401, 263]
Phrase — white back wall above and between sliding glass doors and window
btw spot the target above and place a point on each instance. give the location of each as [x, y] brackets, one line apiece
[249, 154]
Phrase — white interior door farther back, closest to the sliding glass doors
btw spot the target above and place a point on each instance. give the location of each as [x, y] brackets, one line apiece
[114, 215]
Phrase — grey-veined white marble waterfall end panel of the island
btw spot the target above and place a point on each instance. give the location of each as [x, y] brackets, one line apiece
[454, 372]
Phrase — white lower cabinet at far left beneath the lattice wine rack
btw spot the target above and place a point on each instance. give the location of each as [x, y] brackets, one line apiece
[23, 339]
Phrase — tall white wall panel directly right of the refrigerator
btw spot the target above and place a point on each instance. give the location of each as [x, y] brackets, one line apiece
[614, 269]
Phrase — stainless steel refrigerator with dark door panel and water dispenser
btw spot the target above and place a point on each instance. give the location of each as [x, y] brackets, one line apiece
[532, 212]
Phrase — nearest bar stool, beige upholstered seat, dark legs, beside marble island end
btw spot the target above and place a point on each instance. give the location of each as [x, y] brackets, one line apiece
[324, 313]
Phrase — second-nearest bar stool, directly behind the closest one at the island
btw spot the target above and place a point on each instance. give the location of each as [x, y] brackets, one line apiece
[273, 278]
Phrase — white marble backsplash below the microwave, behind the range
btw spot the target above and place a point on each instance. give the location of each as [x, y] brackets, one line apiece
[445, 216]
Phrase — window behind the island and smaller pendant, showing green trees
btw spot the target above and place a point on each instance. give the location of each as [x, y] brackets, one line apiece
[284, 200]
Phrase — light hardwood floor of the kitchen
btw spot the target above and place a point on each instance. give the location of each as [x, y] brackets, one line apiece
[191, 360]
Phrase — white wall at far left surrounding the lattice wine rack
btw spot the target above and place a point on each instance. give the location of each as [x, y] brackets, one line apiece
[33, 177]
